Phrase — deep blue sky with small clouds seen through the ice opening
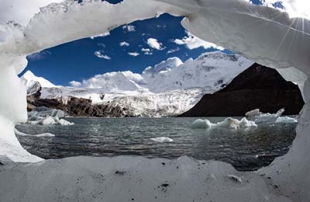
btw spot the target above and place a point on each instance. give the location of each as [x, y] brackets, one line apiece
[117, 51]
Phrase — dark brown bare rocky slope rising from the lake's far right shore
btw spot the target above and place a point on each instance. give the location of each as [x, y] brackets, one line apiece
[257, 87]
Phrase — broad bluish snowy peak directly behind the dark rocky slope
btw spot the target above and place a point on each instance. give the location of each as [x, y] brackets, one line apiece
[210, 71]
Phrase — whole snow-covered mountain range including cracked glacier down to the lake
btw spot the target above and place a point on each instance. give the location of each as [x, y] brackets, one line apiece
[169, 88]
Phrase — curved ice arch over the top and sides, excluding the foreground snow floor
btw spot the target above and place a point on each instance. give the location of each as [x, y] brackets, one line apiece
[262, 34]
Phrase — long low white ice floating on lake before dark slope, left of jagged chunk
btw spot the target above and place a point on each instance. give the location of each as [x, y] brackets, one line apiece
[229, 123]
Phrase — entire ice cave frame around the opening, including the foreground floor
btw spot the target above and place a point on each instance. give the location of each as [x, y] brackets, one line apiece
[262, 34]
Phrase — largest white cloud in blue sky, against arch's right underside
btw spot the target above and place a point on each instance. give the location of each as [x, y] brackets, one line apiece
[193, 42]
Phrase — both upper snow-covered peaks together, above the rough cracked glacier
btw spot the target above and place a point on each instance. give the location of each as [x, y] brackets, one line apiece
[209, 71]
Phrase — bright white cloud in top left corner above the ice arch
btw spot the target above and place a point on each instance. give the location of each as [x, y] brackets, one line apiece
[21, 11]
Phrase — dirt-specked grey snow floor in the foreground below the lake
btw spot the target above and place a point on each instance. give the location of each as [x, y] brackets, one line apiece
[132, 179]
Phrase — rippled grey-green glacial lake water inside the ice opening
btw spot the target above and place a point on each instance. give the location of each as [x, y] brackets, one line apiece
[246, 150]
